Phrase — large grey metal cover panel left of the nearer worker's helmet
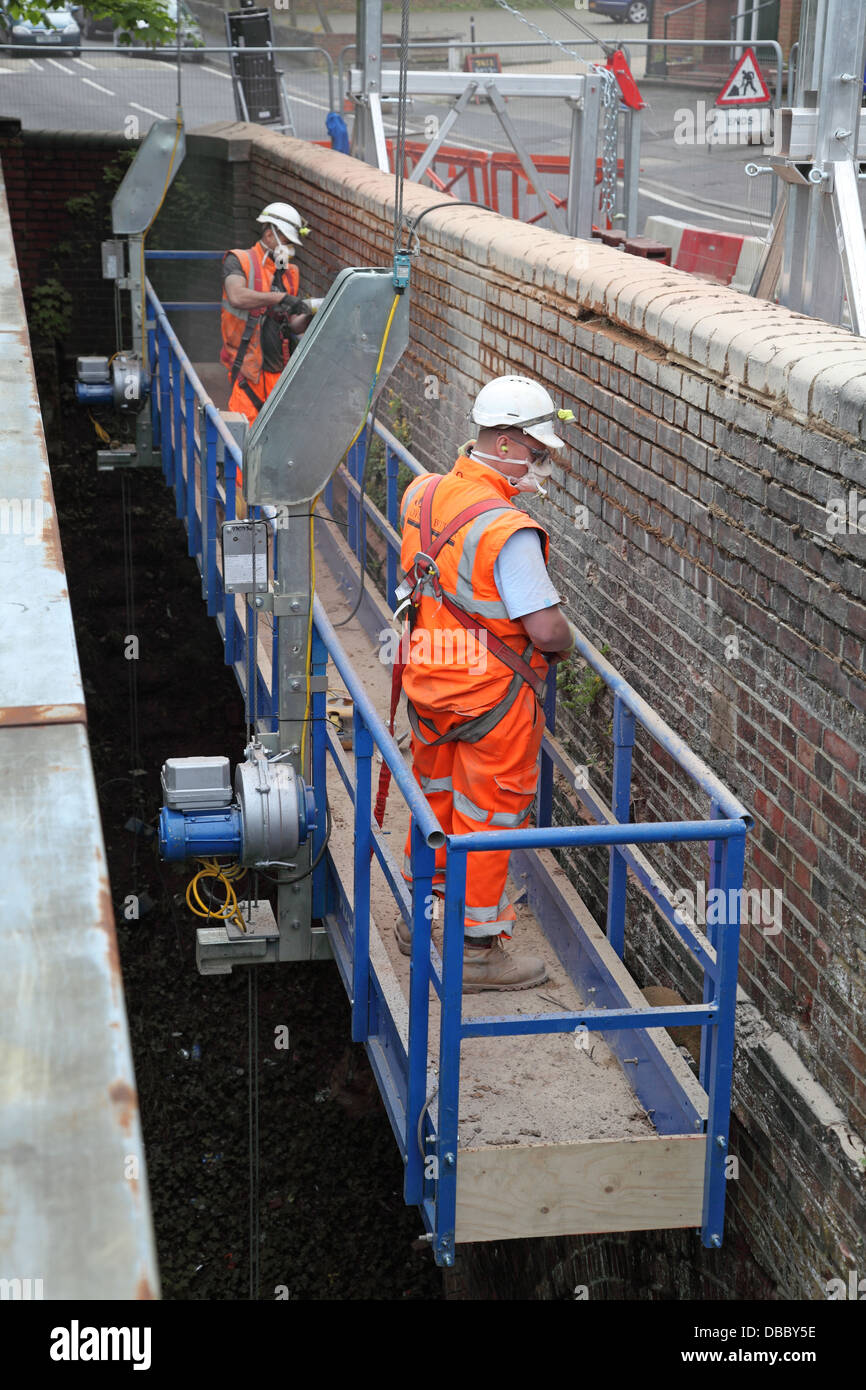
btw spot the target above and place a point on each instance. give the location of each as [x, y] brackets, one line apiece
[313, 414]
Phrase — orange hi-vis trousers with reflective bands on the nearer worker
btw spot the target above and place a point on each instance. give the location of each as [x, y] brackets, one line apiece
[484, 786]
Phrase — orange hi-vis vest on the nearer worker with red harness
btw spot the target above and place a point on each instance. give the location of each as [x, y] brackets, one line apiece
[447, 668]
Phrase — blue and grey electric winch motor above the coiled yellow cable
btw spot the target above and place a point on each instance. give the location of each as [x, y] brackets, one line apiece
[270, 815]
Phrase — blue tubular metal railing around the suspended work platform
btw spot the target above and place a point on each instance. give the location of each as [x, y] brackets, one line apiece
[427, 1136]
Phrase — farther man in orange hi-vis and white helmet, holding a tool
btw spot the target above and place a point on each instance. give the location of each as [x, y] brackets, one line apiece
[262, 309]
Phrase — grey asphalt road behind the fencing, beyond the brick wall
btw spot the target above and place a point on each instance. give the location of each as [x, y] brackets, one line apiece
[113, 92]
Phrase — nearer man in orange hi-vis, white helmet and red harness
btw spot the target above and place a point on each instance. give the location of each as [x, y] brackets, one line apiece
[486, 632]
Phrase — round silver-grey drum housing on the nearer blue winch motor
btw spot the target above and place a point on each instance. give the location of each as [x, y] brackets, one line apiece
[269, 796]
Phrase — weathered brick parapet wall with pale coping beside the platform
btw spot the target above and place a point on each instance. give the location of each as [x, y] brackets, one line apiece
[714, 433]
